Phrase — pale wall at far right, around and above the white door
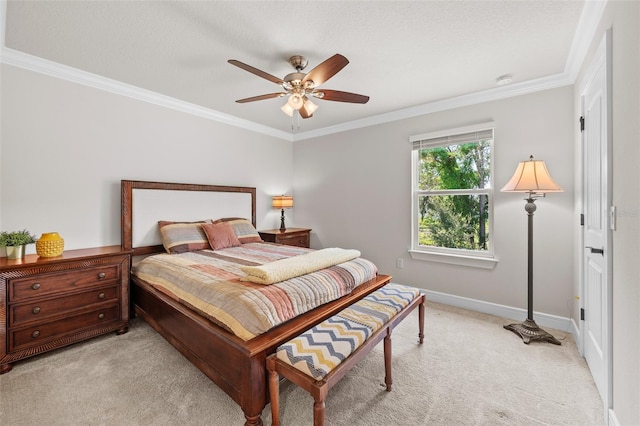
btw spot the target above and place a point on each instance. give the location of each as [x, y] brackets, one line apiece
[624, 18]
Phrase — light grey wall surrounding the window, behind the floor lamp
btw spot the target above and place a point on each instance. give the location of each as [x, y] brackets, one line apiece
[354, 190]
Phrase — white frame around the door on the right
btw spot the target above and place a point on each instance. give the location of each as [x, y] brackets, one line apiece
[602, 57]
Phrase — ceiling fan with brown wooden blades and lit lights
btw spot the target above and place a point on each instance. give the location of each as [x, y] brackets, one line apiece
[300, 86]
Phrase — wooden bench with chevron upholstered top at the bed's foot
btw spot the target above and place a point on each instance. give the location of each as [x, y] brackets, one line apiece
[318, 358]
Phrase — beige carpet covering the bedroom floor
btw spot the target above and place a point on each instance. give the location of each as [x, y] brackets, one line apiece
[470, 371]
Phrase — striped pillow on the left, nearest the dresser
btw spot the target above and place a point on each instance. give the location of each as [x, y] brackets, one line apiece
[181, 237]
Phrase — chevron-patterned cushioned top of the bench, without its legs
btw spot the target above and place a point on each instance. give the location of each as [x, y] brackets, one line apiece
[319, 350]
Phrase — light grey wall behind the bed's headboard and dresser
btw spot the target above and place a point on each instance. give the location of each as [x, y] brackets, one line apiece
[64, 148]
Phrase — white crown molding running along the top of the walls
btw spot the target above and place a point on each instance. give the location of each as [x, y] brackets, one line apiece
[585, 31]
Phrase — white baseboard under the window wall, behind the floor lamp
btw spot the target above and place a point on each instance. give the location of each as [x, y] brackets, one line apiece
[516, 314]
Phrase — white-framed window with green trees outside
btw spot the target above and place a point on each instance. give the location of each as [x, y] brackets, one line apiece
[452, 189]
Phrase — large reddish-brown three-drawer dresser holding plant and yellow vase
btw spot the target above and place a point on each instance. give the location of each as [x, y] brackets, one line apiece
[47, 303]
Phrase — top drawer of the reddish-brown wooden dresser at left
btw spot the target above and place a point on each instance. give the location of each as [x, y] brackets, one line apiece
[52, 283]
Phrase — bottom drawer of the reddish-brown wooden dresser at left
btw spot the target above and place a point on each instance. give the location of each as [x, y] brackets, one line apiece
[38, 334]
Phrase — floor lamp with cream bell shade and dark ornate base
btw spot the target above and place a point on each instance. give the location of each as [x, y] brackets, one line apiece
[531, 177]
